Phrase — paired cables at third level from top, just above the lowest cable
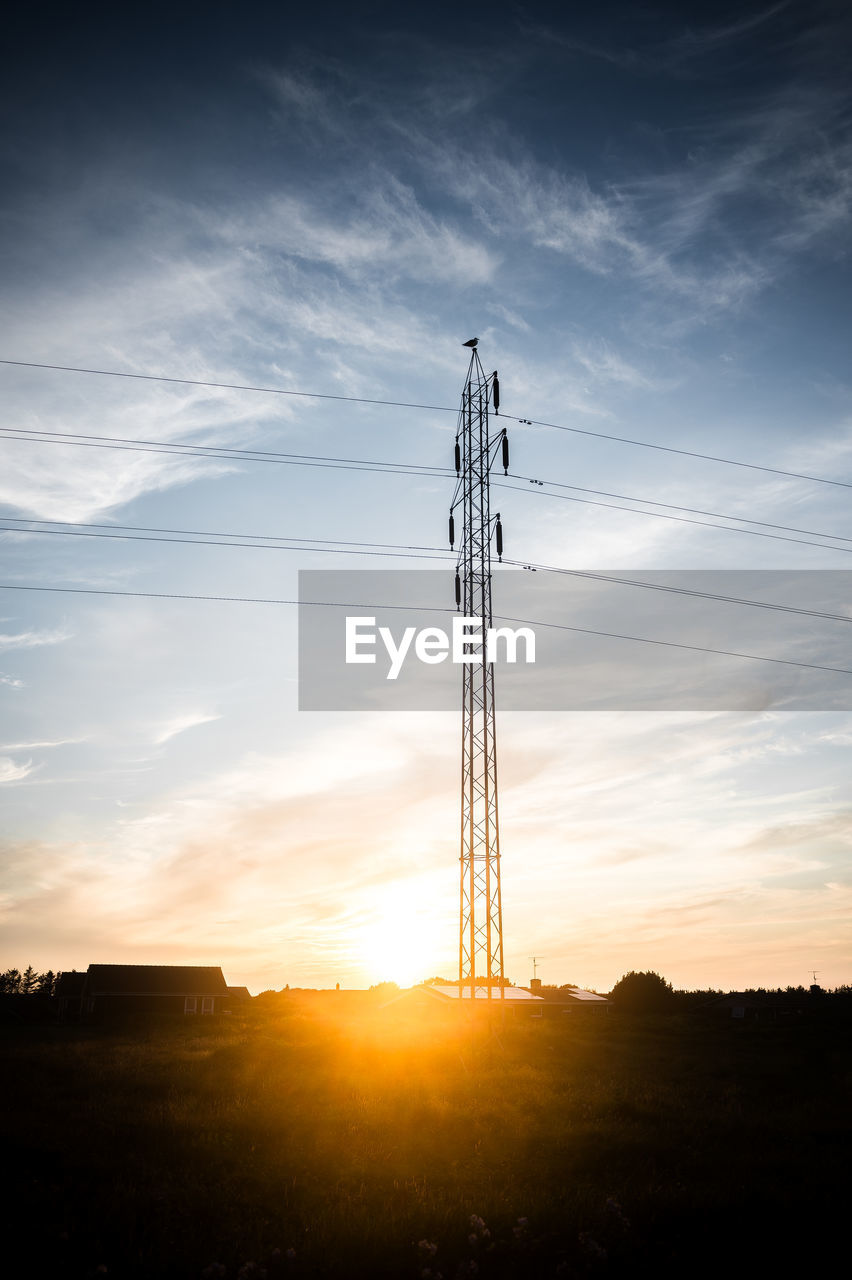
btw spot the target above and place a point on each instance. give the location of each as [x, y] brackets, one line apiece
[397, 551]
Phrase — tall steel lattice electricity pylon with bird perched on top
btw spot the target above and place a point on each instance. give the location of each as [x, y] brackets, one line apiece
[480, 936]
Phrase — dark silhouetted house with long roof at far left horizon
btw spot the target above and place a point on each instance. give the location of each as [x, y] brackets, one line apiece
[120, 990]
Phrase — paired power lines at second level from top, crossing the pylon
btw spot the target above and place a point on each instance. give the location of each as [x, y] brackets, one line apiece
[331, 463]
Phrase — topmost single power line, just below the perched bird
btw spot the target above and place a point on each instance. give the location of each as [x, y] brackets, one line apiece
[437, 409]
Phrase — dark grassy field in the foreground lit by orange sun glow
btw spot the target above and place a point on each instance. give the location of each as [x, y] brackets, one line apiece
[603, 1146]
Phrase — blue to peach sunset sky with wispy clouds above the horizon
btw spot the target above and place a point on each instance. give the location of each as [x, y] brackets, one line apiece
[643, 212]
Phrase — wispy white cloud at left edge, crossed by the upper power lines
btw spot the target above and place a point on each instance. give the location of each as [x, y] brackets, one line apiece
[170, 307]
